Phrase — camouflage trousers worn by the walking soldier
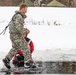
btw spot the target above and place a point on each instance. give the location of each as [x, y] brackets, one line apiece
[19, 43]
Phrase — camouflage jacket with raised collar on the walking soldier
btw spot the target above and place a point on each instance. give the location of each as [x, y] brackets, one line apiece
[16, 25]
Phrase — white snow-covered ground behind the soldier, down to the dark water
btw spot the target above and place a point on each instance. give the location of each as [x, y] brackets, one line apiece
[52, 42]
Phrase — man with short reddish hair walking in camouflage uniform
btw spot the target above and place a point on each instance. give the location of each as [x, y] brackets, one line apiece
[17, 34]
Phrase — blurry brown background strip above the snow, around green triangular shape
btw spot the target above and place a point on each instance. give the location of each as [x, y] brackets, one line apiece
[67, 3]
